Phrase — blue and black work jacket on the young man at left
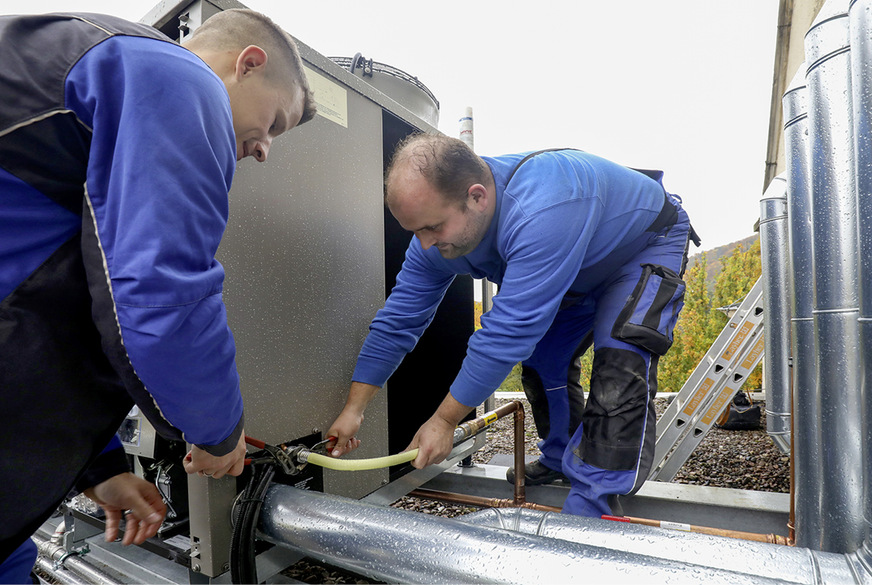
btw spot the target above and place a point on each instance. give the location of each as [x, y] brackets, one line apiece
[137, 132]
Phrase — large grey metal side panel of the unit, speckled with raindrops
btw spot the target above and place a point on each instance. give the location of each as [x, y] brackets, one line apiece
[304, 254]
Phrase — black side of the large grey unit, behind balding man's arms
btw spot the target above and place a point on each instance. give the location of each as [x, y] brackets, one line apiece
[422, 380]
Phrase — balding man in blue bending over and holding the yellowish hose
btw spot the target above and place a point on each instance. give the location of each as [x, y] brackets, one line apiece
[576, 244]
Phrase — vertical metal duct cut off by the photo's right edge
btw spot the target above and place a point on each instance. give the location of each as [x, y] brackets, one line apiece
[861, 84]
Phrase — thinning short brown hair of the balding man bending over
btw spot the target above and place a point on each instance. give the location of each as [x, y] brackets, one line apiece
[447, 163]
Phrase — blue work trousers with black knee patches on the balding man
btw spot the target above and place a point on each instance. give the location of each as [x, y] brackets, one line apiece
[631, 313]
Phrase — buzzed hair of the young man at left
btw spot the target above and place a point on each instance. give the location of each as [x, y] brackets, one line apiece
[235, 29]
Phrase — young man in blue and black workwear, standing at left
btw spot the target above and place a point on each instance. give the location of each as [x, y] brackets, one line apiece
[117, 151]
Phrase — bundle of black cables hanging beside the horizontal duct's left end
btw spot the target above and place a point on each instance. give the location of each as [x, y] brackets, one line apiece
[243, 567]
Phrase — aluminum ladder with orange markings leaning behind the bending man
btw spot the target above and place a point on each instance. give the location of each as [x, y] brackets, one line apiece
[710, 388]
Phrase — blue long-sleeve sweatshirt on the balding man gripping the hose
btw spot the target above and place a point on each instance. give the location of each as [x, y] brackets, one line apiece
[561, 225]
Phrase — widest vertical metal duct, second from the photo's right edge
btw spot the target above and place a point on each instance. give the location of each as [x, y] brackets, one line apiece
[836, 278]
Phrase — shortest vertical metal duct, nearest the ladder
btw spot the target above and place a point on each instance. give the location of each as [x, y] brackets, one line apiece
[776, 306]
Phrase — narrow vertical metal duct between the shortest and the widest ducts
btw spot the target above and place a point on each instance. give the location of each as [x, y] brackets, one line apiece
[806, 437]
